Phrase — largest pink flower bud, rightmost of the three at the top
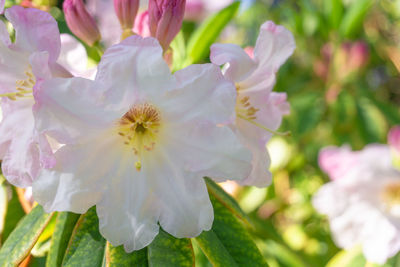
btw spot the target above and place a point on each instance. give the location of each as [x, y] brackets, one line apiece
[166, 18]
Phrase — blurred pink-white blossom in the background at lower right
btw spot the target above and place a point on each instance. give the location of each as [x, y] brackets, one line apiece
[363, 200]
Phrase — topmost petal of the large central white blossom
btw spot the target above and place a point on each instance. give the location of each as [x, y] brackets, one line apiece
[143, 73]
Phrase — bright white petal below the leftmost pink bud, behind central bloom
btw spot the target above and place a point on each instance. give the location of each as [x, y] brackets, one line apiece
[73, 56]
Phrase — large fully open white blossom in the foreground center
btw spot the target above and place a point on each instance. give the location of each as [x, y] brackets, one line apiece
[138, 141]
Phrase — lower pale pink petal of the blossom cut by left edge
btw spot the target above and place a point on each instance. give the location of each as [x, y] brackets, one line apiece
[18, 150]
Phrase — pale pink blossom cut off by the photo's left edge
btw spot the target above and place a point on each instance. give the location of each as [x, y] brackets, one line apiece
[22, 64]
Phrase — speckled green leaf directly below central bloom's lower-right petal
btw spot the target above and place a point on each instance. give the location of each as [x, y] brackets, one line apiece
[167, 250]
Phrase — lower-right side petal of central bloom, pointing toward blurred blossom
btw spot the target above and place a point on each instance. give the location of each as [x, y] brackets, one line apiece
[211, 151]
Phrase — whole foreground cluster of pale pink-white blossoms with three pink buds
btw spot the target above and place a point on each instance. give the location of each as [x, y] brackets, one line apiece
[137, 140]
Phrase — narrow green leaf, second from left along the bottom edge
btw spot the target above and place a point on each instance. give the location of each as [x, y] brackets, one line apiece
[65, 224]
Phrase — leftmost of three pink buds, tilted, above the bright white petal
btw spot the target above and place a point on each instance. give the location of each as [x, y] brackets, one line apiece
[80, 22]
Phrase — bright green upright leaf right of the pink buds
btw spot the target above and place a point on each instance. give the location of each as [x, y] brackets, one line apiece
[201, 40]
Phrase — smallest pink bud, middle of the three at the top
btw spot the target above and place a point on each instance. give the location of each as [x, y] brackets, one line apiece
[126, 11]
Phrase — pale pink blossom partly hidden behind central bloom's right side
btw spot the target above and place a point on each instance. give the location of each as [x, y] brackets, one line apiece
[257, 107]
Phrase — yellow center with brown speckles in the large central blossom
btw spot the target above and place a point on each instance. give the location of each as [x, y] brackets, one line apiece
[139, 128]
